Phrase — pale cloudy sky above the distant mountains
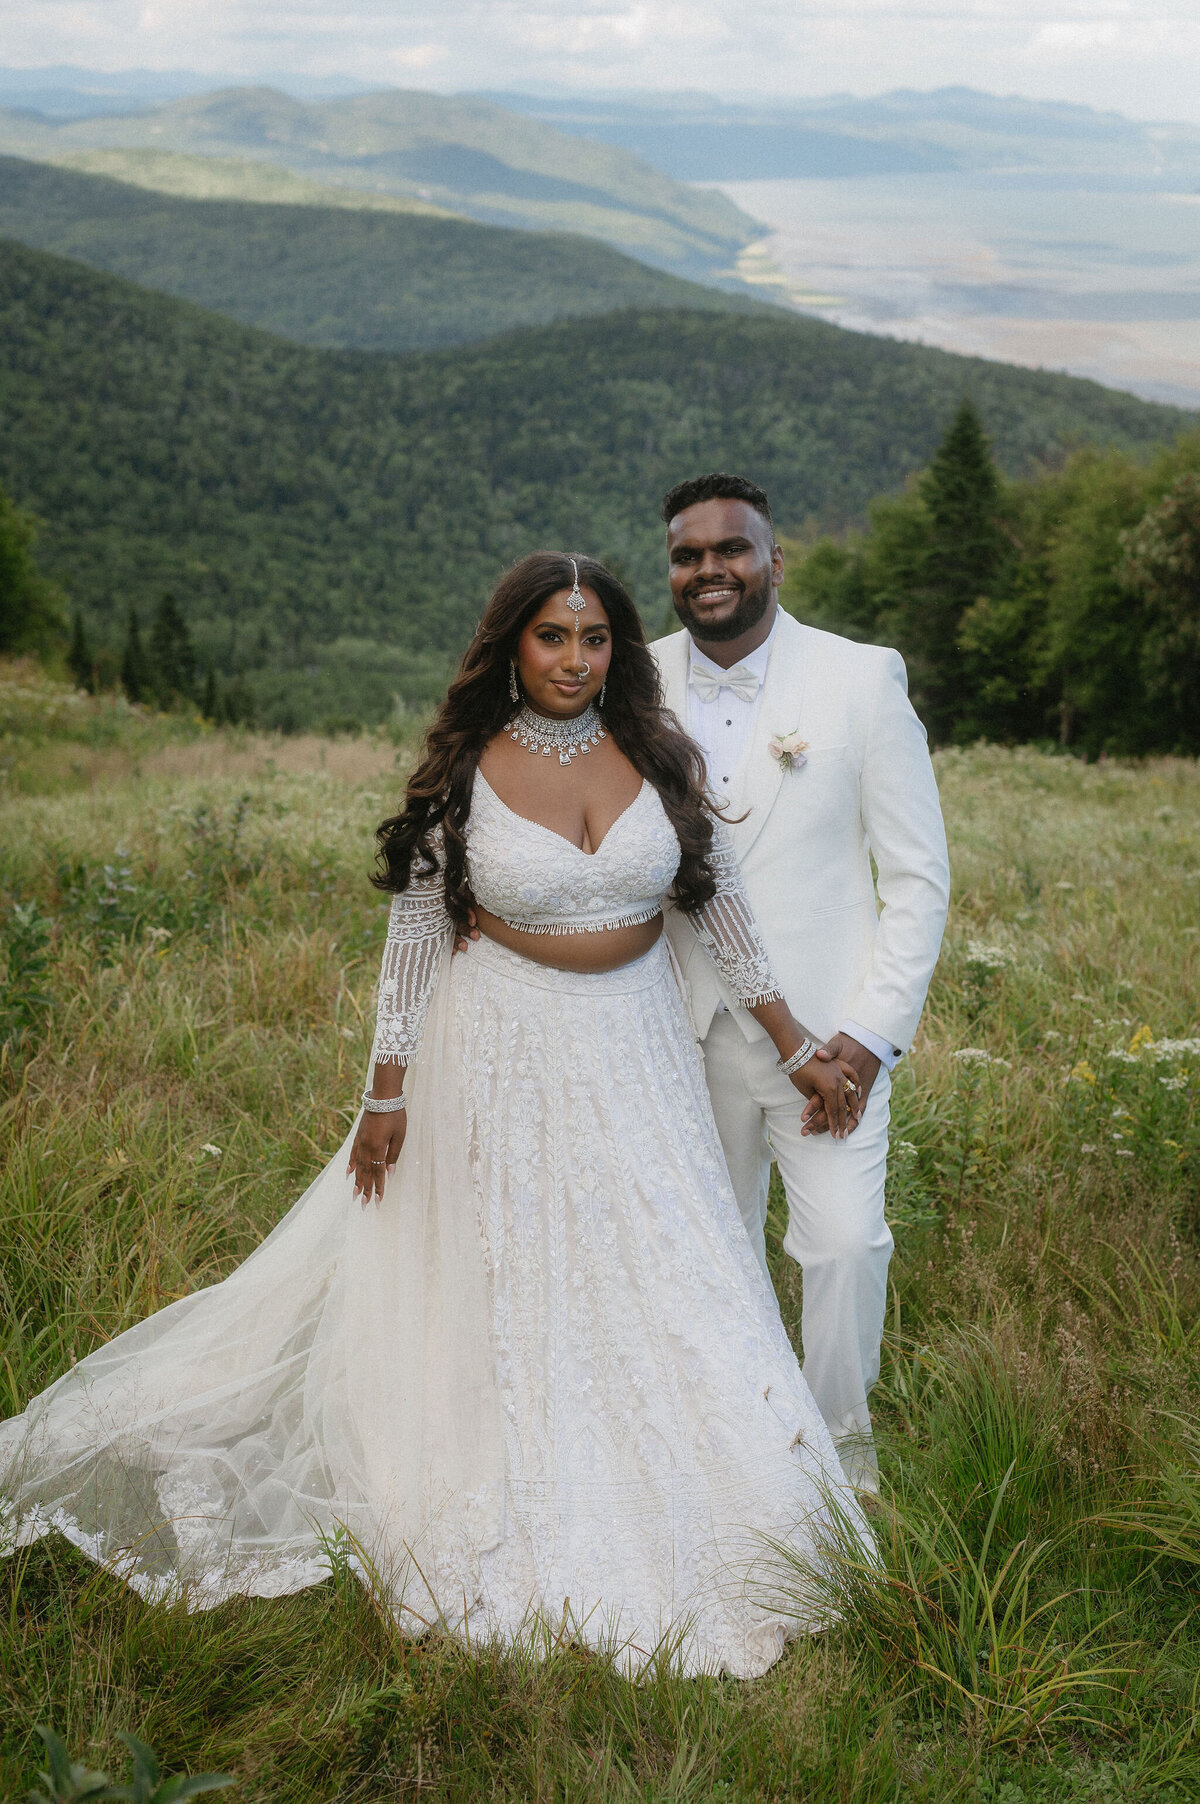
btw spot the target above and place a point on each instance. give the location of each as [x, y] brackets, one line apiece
[1134, 57]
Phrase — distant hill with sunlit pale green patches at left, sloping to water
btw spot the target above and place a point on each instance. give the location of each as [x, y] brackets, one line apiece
[466, 156]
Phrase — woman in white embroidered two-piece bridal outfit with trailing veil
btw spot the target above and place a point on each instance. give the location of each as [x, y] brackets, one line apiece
[513, 1348]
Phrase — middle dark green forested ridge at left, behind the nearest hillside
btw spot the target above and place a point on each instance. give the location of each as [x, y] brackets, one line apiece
[337, 277]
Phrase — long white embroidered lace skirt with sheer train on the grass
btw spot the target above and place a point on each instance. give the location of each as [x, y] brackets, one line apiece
[654, 1440]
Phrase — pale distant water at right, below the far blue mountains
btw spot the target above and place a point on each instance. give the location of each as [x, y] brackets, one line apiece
[1093, 275]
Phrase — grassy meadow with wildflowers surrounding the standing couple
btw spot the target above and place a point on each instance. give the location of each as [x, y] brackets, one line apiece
[190, 952]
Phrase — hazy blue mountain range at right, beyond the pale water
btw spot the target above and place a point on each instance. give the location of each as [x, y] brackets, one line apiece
[697, 138]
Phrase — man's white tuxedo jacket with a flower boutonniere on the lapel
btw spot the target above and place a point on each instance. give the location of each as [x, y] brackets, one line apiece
[867, 791]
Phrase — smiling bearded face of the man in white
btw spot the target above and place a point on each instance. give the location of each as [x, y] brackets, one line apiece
[725, 569]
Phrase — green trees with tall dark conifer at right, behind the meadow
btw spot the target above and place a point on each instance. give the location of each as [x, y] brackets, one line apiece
[1064, 607]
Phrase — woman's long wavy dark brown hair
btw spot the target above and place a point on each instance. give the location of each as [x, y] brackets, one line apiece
[479, 706]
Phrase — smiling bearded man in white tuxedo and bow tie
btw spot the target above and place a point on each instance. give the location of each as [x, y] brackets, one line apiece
[741, 679]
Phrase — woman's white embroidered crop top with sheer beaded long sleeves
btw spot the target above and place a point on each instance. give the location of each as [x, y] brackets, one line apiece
[535, 879]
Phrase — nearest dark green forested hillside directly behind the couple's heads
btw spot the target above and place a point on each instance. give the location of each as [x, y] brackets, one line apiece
[331, 522]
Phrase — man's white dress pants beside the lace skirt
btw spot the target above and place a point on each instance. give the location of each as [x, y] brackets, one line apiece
[836, 1226]
